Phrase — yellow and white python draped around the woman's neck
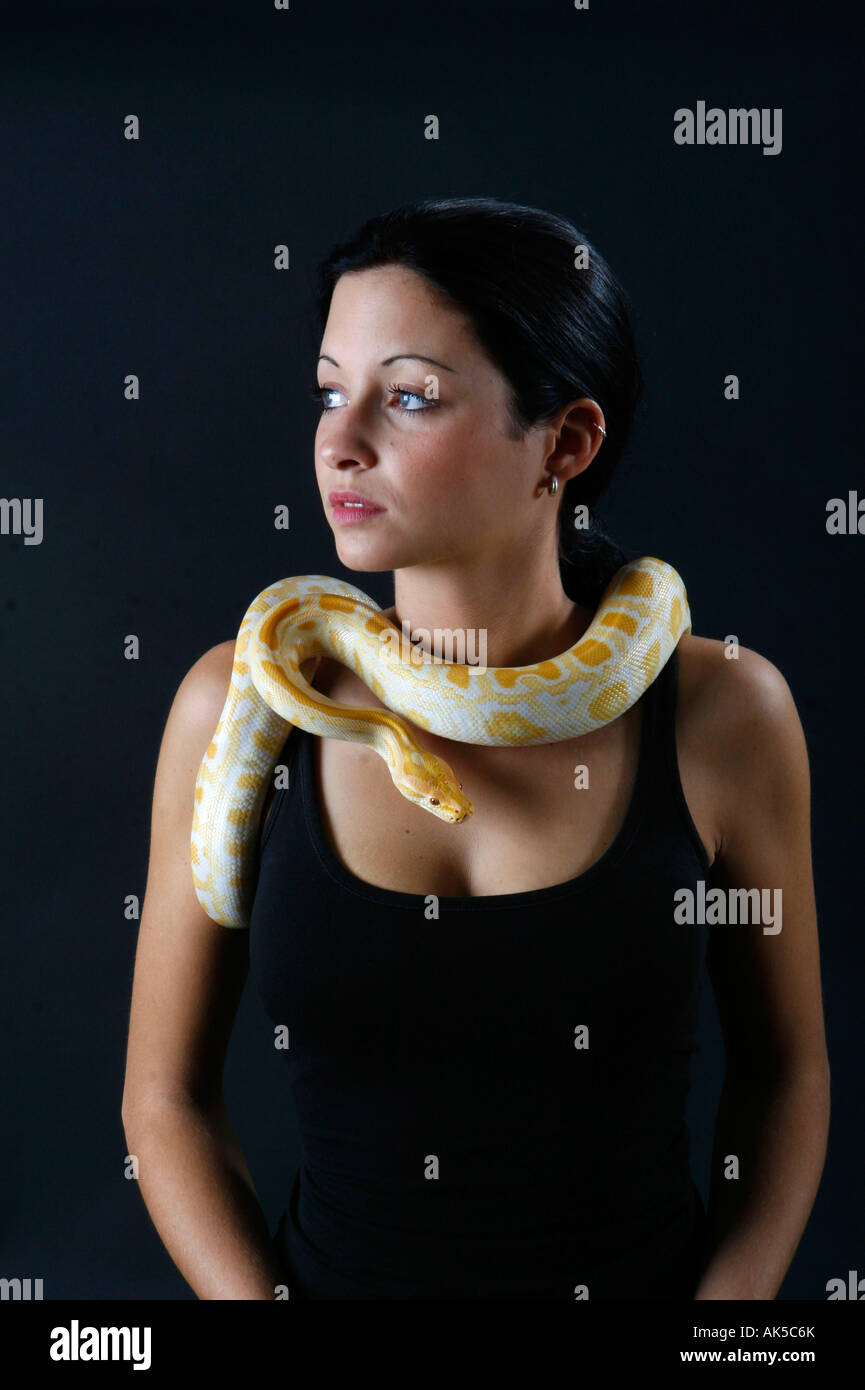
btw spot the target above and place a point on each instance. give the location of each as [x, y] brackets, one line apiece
[643, 614]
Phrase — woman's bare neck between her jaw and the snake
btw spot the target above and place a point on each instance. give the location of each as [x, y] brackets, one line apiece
[522, 616]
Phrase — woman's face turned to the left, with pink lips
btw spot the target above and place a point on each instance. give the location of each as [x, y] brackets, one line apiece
[425, 441]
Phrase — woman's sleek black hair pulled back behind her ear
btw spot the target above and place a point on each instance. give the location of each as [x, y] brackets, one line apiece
[556, 332]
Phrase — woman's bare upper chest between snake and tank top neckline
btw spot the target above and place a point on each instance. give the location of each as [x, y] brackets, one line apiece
[542, 814]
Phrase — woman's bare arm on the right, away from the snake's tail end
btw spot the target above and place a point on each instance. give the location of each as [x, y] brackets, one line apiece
[774, 1115]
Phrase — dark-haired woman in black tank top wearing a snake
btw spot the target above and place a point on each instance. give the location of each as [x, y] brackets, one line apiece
[490, 1025]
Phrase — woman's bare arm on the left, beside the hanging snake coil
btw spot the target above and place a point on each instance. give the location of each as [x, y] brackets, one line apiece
[190, 975]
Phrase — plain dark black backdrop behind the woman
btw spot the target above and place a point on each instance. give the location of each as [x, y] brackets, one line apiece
[156, 258]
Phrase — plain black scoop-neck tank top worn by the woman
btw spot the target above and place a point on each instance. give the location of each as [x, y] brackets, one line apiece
[492, 1103]
